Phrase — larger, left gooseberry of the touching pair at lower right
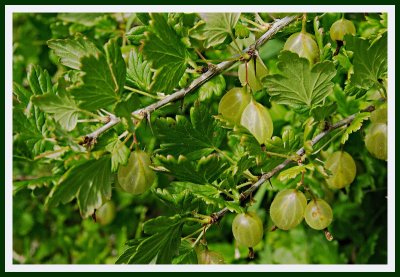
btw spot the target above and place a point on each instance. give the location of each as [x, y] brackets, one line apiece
[287, 208]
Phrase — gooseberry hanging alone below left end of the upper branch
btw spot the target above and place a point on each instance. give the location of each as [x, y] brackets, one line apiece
[136, 177]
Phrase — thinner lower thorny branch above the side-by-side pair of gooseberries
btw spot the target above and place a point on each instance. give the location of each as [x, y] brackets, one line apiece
[301, 152]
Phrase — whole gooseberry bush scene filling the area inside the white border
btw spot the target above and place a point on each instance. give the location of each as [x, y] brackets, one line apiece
[192, 138]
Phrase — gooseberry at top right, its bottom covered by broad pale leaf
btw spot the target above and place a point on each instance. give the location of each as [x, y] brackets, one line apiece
[304, 45]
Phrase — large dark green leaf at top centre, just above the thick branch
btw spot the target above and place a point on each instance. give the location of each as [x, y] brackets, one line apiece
[166, 52]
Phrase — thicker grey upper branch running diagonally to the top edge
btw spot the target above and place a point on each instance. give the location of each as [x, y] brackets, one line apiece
[213, 71]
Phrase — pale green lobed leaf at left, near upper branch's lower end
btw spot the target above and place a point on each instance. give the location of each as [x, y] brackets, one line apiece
[61, 105]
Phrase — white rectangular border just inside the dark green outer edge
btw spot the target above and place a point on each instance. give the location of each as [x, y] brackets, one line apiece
[9, 9]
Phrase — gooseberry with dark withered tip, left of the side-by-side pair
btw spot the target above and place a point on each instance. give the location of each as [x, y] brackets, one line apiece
[247, 228]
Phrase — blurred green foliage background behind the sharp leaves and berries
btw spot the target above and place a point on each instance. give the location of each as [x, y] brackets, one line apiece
[60, 235]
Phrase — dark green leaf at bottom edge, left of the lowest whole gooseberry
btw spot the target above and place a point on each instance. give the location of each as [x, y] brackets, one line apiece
[162, 245]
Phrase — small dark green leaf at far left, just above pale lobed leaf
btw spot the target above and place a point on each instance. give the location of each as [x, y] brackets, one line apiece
[39, 80]
